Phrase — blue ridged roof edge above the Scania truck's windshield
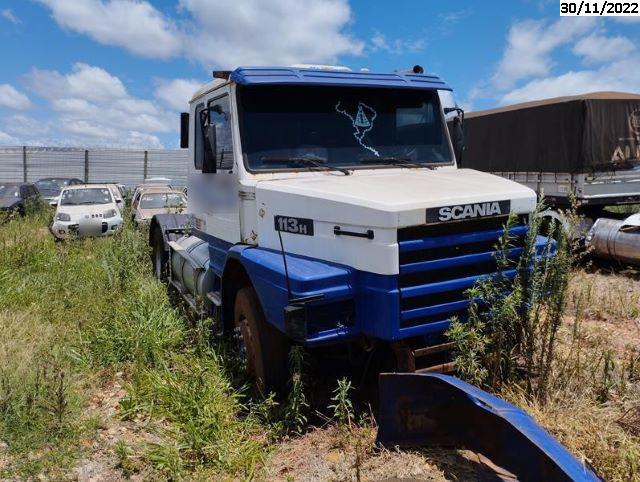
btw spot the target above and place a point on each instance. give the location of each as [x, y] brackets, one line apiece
[326, 76]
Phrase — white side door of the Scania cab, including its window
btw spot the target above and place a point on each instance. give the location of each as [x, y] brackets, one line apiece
[213, 196]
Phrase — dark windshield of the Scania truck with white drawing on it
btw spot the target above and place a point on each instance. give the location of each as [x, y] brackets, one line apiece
[285, 127]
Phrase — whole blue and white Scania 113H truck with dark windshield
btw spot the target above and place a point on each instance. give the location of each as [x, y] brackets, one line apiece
[325, 207]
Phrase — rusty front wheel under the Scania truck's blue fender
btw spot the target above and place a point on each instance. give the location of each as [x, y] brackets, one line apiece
[266, 350]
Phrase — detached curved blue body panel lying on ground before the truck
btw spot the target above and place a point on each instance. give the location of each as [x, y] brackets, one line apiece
[432, 409]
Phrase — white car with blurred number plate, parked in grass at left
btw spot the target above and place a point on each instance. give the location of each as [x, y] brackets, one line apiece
[86, 210]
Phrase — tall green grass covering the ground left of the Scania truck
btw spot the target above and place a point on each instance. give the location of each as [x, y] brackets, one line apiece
[73, 311]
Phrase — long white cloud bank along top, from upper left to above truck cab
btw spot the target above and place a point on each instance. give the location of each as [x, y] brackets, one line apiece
[217, 33]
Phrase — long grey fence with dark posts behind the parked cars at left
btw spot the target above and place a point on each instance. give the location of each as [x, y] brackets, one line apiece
[122, 166]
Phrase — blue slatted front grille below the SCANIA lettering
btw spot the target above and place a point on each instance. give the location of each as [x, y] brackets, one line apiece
[439, 263]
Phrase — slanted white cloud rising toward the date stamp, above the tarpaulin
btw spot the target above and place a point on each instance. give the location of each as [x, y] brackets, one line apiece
[530, 44]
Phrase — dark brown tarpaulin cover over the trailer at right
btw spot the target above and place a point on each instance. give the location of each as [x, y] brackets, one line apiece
[581, 134]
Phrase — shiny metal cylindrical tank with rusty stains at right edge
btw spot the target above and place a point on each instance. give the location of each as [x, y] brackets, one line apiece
[608, 240]
